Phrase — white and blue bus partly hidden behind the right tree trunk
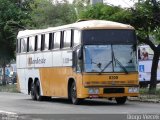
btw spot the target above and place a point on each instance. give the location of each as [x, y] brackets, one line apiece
[145, 66]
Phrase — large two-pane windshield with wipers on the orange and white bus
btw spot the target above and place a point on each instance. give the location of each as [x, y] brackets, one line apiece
[110, 58]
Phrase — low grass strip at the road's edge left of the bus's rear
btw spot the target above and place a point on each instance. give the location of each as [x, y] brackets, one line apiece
[8, 88]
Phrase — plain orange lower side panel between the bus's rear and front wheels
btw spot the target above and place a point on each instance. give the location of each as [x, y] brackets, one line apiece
[58, 80]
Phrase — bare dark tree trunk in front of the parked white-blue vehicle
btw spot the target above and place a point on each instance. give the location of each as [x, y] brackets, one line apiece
[153, 79]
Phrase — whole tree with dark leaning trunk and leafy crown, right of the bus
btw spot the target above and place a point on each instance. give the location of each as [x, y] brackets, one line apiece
[146, 20]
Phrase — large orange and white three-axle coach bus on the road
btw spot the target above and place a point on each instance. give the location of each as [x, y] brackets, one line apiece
[85, 59]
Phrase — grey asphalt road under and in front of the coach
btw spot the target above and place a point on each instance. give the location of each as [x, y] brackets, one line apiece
[22, 105]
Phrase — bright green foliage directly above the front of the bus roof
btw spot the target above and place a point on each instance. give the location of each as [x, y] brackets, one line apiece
[106, 12]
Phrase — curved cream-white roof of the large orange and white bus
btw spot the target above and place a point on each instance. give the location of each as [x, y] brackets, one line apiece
[89, 24]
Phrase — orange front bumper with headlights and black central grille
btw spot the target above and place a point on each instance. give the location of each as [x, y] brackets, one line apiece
[109, 92]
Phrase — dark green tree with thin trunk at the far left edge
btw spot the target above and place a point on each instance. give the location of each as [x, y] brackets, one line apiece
[9, 11]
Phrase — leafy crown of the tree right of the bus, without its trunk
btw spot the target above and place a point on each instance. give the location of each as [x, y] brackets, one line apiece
[145, 19]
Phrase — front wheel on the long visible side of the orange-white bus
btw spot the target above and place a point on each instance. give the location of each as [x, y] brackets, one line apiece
[73, 94]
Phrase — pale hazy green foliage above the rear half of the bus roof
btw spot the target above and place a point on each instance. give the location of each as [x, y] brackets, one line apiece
[45, 13]
